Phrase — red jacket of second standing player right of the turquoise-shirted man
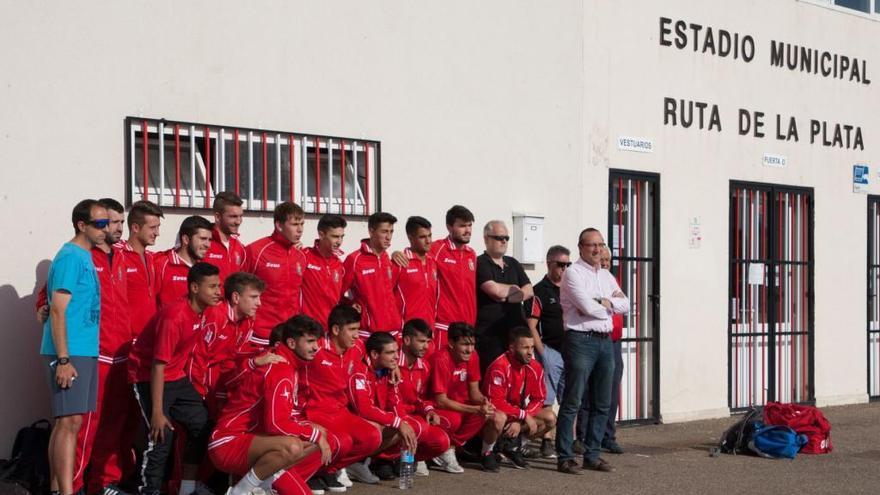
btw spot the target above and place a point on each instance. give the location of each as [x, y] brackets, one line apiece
[141, 291]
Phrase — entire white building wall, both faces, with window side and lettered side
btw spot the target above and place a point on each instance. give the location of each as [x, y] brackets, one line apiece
[501, 106]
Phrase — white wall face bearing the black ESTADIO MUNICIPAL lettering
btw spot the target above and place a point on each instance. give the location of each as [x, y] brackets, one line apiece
[627, 74]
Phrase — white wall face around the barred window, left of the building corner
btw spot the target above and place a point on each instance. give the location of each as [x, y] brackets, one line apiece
[474, 103]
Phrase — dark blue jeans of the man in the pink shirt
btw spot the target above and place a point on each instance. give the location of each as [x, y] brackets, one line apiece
[588, 358]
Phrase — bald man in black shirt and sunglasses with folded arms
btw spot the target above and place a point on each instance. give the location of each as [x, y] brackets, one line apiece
[502, 286]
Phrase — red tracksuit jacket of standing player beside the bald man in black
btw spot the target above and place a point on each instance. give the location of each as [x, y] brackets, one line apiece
[456, 268]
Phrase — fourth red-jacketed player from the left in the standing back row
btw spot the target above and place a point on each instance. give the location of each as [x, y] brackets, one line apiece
[226, 252]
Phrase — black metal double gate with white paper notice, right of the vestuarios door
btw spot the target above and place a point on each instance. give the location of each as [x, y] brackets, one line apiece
[770, 352]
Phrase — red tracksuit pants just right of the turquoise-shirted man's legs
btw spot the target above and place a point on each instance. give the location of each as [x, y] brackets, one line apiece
[105, 440]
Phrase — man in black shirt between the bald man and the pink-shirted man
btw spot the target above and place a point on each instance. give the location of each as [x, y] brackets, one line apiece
[545, 321]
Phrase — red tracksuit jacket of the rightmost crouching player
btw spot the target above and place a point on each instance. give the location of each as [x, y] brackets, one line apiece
[514, 388]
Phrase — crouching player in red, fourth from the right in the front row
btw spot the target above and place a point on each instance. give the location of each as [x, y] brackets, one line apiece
[374, 397]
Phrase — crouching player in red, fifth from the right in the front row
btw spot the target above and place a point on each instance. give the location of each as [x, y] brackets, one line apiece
[328, 403]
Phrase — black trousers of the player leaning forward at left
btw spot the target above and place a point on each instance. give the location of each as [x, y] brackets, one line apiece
[183, 405]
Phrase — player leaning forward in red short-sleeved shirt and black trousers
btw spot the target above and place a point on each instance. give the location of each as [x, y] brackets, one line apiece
[156, 368]
